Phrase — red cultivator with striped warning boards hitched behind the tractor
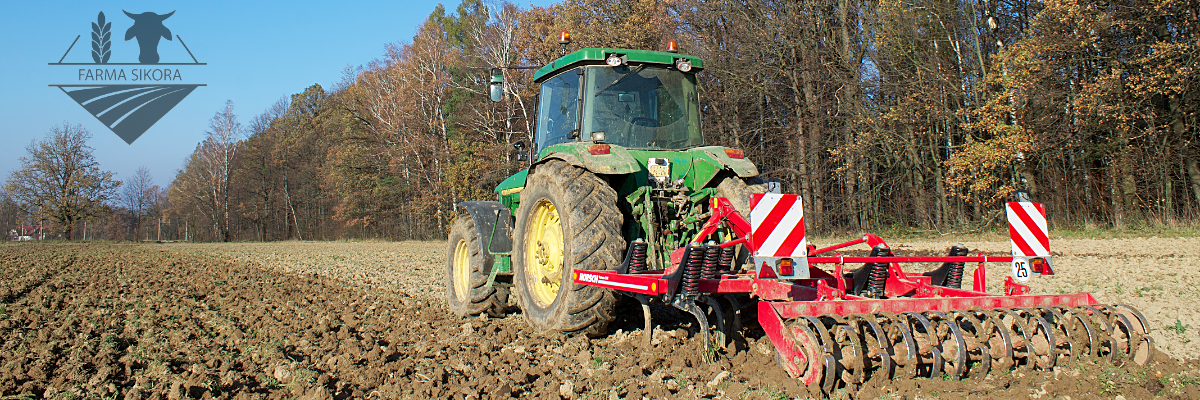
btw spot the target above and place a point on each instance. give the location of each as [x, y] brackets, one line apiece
[835, 327]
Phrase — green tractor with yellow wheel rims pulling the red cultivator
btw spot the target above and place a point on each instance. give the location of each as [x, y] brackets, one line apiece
[619, 158]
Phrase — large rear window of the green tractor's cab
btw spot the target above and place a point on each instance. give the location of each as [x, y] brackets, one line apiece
[643, 108]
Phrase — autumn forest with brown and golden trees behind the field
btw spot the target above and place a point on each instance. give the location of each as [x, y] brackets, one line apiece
[917, 115]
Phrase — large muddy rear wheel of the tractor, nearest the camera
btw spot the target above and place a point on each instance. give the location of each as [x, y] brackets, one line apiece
[568, 220]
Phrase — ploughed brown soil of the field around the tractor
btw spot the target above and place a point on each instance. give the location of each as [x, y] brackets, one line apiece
[226, 321]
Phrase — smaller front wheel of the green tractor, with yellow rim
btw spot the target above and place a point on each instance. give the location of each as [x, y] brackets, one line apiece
[467, 268]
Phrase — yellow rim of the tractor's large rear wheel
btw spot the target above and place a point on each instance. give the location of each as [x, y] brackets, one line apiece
[544, 253]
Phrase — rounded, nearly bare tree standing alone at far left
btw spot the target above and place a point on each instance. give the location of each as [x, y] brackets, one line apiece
[62, 180]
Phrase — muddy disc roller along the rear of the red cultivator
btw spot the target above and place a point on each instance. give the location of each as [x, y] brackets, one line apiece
[848, 351]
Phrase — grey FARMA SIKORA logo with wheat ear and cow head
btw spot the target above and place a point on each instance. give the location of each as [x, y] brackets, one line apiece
[129, 110]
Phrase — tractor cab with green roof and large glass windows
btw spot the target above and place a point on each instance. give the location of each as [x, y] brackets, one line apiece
[640, 100]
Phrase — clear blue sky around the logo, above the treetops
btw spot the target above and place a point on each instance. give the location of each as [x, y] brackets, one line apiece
[257, 52]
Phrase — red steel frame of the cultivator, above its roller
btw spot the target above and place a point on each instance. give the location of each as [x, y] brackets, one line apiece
[825, 292]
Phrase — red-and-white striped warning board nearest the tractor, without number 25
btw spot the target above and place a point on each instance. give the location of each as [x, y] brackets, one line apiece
[777, 225]
